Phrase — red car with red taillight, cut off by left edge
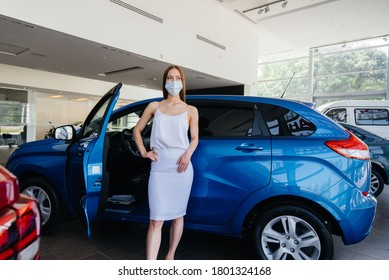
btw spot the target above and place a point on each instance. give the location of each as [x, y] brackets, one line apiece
[20, 221]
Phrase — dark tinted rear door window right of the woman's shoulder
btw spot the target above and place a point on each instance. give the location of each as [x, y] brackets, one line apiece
[225, 121]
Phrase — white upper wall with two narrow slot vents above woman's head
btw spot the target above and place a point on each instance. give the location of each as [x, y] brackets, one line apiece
[173, 41]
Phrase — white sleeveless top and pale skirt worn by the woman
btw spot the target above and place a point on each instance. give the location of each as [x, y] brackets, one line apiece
[168, 189]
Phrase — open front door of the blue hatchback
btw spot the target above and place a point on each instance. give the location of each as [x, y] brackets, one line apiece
[92, 146]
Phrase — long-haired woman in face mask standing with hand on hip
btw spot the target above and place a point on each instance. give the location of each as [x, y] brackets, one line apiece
[171, 172]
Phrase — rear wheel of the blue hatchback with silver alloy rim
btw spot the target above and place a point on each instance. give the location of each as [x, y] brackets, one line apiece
[291, 232]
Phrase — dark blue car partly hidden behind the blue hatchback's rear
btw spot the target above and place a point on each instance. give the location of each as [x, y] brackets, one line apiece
[379, 156]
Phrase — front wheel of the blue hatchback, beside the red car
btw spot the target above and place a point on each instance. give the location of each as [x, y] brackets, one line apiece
[47, 199]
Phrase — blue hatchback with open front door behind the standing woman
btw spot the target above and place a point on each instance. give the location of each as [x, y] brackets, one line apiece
[271, 171]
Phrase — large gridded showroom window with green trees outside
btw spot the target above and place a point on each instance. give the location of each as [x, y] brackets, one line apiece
[355, 70]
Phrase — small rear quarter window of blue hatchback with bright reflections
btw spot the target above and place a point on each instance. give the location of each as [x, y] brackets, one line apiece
[284, 122]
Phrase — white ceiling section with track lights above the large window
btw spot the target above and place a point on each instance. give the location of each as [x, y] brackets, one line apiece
[304, 24]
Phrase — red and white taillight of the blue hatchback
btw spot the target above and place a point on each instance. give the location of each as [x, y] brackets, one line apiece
[352, 147]
